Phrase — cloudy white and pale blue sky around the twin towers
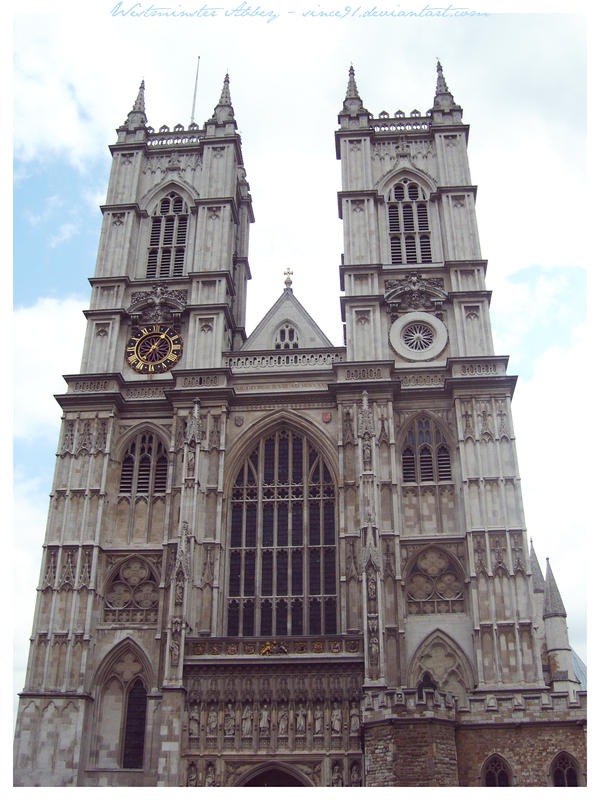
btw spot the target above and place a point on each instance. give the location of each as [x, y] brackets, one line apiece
[521, 80]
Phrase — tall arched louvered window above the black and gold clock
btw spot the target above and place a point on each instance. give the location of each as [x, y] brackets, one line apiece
[168, 235]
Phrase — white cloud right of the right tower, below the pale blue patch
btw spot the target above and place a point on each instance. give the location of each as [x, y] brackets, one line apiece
[552, 424]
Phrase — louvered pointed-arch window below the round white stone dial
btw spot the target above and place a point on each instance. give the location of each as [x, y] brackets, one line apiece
[425, 454]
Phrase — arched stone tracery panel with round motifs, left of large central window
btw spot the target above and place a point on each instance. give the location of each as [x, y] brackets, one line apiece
[132, 595]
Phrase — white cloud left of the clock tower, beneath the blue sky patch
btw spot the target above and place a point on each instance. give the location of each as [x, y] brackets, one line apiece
[48, 339]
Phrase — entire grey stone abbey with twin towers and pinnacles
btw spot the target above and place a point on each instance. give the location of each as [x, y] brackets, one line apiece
[273, 561]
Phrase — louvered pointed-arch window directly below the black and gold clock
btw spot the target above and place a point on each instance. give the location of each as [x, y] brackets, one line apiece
[145, 467]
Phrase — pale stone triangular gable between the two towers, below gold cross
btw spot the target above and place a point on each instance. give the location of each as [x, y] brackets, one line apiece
[286, 311]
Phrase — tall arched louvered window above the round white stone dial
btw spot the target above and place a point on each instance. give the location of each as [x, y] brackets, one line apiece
[408, 224]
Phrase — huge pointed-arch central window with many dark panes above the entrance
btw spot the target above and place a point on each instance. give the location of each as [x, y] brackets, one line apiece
[282, 577]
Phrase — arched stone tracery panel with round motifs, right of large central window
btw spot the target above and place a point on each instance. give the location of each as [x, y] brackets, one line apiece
[434, 585]
